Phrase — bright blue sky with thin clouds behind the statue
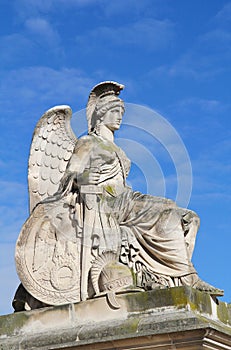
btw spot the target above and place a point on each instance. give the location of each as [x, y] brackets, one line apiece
[172, 56]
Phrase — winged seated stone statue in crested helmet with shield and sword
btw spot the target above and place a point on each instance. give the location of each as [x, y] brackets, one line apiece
[88, 233]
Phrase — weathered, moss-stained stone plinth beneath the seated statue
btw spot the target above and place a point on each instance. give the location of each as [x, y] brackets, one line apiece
[175, 318]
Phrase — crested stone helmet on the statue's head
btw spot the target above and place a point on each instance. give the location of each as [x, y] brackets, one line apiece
[103, 98]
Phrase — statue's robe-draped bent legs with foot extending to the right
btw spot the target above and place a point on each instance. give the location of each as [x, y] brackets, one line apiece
[164, 237]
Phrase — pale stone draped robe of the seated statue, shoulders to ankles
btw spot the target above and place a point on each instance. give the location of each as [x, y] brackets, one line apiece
[153, 236]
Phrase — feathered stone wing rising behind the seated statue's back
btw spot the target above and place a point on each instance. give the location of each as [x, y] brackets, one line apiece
[51, 148]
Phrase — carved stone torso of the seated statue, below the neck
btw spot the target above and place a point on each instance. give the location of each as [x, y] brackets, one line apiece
[99, 162]
